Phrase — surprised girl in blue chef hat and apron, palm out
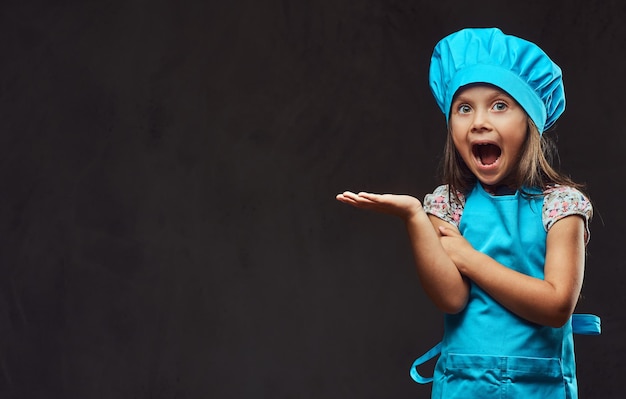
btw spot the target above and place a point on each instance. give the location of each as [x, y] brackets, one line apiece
[500, 246]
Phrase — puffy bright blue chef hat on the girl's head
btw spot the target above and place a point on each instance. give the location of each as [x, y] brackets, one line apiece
[486, 55]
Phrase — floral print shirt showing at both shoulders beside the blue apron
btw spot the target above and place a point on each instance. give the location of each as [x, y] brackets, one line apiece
[559, 202]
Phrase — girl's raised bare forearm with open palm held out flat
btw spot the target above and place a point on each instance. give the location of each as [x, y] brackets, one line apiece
[438, 275]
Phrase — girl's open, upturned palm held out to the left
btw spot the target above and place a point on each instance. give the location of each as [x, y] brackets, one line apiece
[402, 206]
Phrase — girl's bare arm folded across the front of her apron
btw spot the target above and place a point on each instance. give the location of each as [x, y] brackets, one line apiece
[550, 301]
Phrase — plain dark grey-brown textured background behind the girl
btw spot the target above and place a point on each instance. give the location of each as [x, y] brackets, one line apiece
[168, 227]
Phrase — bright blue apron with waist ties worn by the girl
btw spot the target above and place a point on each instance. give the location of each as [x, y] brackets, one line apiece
[486, 350]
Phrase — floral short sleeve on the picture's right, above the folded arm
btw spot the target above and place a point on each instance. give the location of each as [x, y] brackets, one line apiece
[562, 201]
